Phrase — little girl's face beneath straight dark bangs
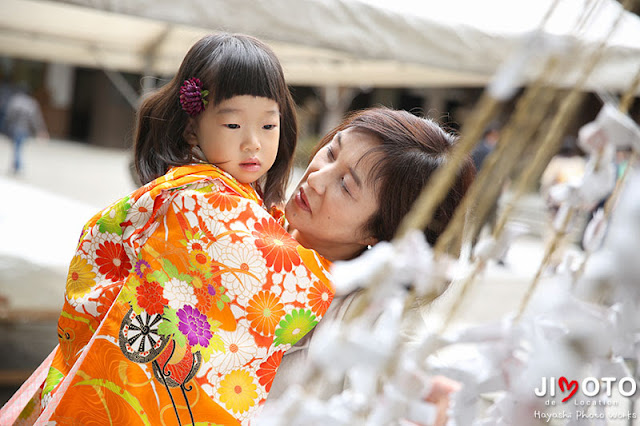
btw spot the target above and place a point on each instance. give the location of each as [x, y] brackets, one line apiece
[239, 135]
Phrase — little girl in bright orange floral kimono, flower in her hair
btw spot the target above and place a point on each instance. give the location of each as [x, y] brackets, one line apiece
[183, 296]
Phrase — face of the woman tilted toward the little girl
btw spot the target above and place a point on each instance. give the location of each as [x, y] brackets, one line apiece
[334, 200]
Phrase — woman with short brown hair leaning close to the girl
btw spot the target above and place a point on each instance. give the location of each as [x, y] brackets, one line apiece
[362, 180]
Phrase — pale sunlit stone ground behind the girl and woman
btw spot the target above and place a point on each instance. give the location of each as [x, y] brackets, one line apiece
[64, 183]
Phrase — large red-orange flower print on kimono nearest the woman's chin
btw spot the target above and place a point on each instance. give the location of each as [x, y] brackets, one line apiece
[277, 247]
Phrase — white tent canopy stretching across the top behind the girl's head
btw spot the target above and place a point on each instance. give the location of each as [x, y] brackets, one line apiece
[398, 43]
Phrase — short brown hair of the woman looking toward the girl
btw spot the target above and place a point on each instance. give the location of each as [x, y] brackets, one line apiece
[411, 149]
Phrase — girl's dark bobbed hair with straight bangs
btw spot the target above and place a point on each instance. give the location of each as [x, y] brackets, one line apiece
[228, 65]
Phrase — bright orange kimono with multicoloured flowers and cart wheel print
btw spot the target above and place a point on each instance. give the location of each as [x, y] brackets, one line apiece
[180, 302]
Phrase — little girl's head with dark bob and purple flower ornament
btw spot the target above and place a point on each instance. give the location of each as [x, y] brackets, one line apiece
[222, 81]
